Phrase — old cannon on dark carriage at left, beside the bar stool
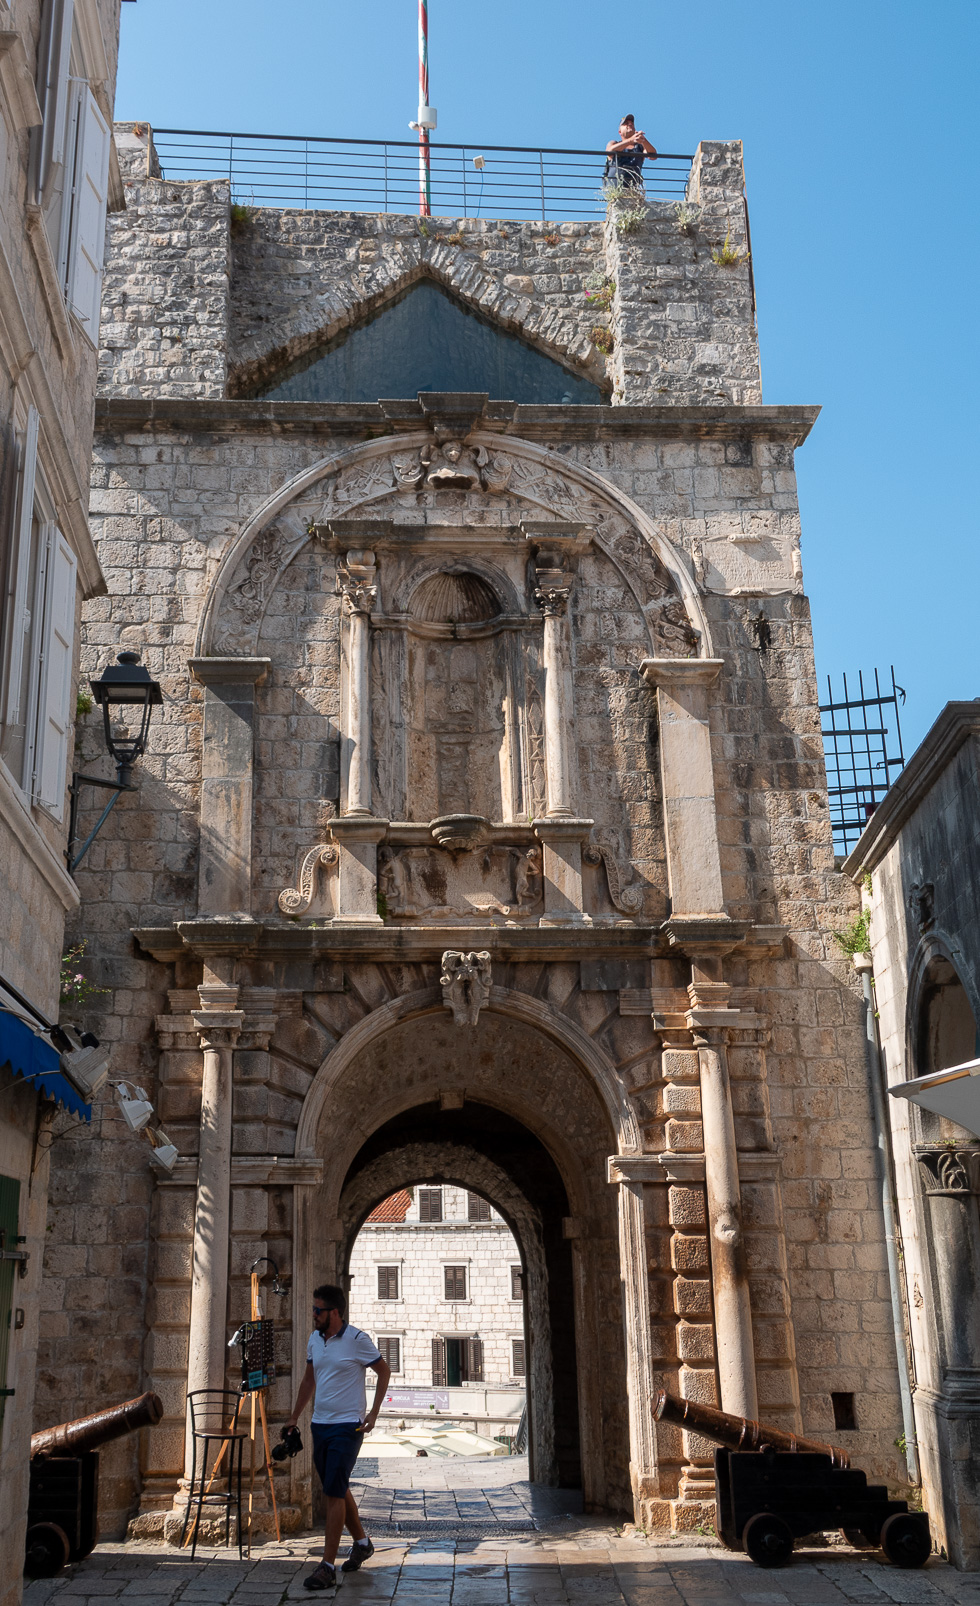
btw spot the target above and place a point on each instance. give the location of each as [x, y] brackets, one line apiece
[63, 1504]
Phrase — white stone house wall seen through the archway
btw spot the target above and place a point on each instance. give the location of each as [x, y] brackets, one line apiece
[422, 1311]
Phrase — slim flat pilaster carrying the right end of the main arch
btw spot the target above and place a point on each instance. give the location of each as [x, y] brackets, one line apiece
[631, 1173]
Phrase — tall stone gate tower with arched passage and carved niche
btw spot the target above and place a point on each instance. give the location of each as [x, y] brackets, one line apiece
[484, 838]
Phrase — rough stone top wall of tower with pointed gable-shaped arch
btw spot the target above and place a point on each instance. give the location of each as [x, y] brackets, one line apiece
[195, 311]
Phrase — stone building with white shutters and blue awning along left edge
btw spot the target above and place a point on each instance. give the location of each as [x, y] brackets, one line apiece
[57, 86]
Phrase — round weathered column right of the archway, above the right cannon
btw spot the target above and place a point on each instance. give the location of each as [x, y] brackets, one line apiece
[730, 1273]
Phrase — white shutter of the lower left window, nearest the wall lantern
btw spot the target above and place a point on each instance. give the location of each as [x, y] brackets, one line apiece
[54, 712]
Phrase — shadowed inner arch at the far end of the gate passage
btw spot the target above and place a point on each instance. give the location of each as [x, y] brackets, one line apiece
[463, 1165]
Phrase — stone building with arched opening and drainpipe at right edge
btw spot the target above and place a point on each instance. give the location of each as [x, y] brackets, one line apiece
[920, 858]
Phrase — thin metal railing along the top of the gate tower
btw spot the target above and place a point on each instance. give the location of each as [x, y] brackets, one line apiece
[383, 176]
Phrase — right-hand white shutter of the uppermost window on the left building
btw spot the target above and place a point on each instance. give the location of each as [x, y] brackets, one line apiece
[88, 237]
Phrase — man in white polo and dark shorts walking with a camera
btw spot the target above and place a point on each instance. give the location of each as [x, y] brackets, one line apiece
[338, 1358]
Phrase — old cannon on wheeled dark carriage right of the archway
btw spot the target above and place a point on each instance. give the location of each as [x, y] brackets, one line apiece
[774, 1488]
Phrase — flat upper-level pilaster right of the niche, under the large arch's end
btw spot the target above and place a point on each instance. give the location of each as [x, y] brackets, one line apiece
[690, 820]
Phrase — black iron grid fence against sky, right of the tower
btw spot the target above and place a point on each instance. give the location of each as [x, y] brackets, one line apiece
[864, 754]
